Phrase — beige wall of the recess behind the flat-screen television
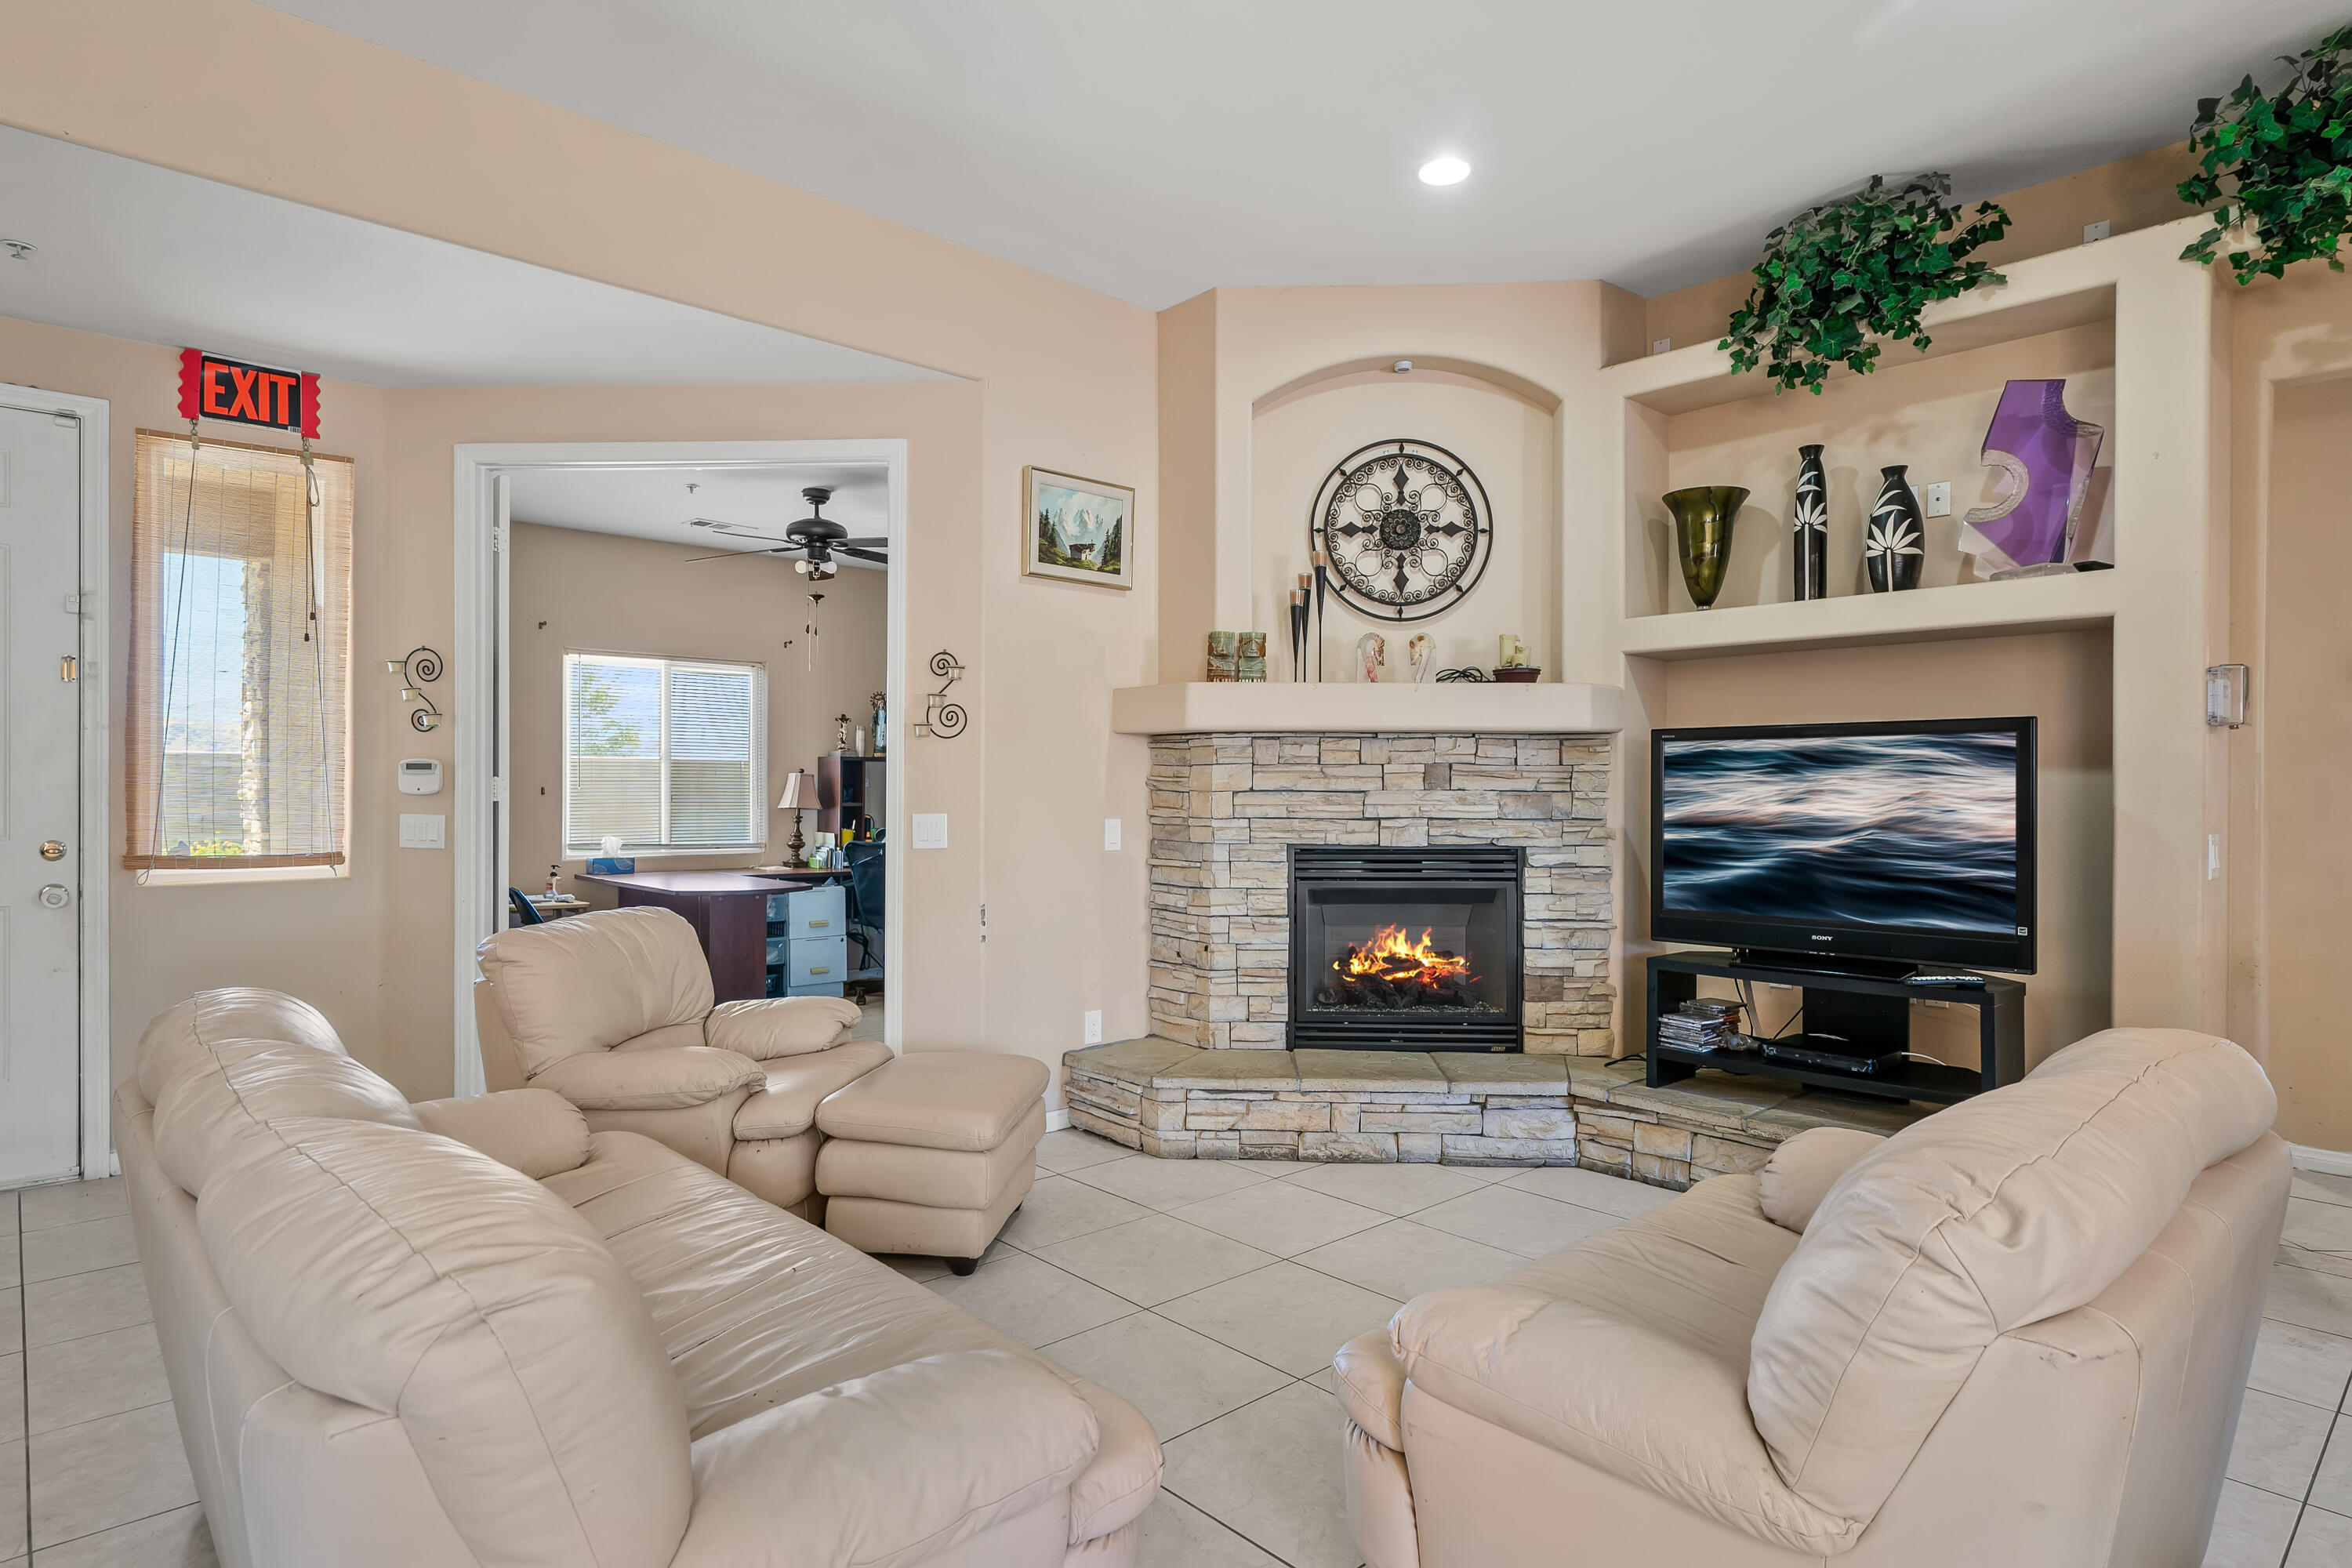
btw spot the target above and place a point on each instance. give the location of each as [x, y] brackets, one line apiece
[2062, 678]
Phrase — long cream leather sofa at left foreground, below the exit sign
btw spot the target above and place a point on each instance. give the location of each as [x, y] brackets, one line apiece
[474, 1332]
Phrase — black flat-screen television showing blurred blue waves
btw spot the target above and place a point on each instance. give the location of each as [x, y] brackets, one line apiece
[1885, 843]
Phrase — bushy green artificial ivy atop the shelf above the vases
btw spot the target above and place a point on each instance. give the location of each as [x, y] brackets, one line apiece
[1852, 274]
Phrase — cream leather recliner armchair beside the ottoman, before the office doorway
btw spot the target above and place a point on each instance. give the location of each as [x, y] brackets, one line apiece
[613, 1012]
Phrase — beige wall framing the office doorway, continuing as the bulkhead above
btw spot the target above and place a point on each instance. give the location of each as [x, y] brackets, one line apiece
[1060, 377]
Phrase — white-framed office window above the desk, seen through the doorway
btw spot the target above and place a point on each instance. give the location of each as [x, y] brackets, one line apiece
[667, 756]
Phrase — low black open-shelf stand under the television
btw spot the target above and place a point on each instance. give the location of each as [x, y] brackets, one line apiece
[1864, 1017]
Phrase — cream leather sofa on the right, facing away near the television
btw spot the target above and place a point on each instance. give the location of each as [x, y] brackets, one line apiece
[2010, 1336]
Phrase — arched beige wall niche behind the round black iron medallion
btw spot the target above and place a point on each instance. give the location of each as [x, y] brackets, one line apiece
[1504, 427]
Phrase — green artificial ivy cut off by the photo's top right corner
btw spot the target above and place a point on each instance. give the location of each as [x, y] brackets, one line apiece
[2290, 159]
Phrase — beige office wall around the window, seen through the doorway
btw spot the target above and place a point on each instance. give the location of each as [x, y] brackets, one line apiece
[599, 594]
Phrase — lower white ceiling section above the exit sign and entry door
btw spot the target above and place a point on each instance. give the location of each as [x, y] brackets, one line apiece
[142, 253]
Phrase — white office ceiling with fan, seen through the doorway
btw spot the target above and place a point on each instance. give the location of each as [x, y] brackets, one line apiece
[744, 504]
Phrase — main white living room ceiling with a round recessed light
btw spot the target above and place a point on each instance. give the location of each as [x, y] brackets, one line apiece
[1154, 152]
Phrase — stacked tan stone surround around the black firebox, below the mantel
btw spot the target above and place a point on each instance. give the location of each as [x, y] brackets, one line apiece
[1231, 808]
